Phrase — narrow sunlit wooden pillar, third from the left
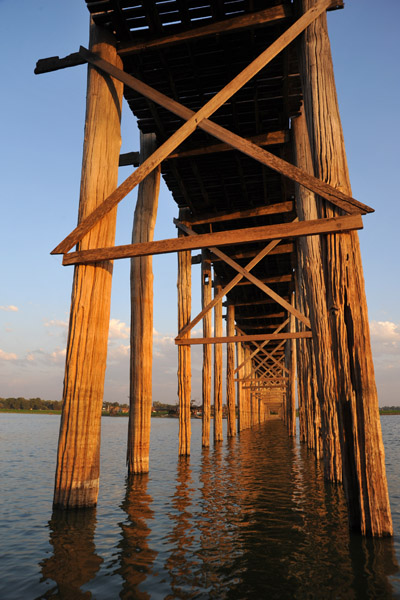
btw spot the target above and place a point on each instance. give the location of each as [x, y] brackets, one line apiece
[184, 353]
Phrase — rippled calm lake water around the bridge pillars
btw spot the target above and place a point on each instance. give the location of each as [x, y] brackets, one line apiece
[243, 520]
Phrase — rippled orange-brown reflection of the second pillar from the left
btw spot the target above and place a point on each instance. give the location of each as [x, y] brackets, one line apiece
[136, 557]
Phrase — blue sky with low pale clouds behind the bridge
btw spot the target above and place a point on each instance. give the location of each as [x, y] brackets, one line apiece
[42, 119]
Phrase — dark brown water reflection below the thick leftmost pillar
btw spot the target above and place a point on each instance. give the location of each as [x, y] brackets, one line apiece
[74, 561]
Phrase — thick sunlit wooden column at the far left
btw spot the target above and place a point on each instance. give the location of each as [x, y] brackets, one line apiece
[78, 460]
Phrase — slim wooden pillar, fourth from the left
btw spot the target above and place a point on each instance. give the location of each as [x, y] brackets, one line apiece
[206, 285]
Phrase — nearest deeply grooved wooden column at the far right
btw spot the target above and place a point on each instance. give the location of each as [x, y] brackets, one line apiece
[364, 475]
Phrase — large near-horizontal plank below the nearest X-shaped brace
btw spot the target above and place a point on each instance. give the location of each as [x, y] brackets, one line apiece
[221, 238]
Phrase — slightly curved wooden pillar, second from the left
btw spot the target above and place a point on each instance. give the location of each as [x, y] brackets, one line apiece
[142, 317]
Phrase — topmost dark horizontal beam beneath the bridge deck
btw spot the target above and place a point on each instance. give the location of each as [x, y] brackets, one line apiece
[256, 19]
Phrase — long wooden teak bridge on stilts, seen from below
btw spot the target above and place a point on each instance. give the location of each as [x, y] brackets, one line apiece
[237, 108]
